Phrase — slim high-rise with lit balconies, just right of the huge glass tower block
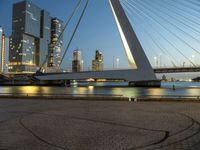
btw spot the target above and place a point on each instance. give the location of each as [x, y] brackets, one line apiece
[56, 42]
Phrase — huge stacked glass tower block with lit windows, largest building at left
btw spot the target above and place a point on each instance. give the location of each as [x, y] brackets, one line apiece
[29, 42]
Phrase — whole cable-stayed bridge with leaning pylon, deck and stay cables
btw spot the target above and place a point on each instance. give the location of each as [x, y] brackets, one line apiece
[141, 72]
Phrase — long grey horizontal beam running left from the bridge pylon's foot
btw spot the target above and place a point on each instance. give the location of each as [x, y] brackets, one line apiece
[128, 75]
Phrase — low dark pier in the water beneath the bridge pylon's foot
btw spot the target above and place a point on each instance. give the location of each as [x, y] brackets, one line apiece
[152, 83]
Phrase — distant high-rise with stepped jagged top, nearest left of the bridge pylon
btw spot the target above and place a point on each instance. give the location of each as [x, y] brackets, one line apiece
[97, 63]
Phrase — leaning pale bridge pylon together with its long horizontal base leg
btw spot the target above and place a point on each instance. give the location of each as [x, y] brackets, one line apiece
[141, 69]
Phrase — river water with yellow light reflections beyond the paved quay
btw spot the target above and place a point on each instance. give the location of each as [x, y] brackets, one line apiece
[110, 89]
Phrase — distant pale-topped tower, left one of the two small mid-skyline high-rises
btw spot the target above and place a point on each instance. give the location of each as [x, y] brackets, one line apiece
[77, 62]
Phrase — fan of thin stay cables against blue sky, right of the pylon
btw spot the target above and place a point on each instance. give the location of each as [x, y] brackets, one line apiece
[172, 24]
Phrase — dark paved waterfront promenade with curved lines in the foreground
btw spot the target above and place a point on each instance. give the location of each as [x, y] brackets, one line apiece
[98, 125]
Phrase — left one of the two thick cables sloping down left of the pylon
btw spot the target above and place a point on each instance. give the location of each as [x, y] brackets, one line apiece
[59, 38]
